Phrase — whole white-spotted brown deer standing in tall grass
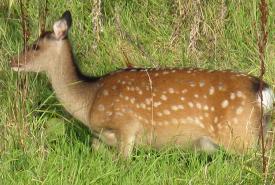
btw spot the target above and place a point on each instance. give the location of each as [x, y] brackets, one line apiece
[186, 107]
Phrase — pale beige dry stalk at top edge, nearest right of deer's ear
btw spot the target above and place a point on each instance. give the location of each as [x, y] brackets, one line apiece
[97, 21]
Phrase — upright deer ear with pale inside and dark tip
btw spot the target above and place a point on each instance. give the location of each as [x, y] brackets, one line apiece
[62, 26]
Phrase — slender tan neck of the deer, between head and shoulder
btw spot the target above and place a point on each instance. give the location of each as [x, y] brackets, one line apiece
[74, 94]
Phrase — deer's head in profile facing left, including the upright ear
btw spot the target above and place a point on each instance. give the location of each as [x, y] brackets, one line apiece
[46, 51]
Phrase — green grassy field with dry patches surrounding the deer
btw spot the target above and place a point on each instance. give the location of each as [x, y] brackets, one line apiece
[144, 33]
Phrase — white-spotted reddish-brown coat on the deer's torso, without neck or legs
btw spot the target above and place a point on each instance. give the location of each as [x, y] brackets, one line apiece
[173, 125]
